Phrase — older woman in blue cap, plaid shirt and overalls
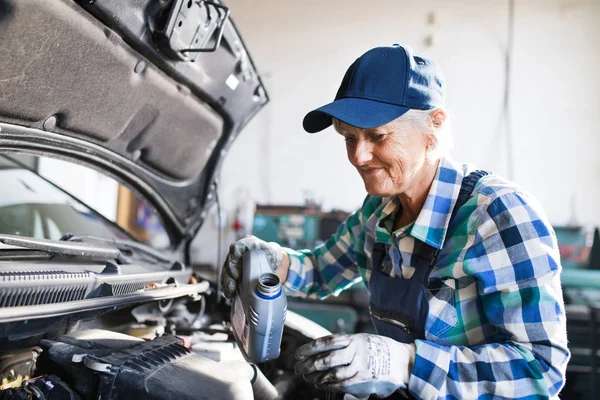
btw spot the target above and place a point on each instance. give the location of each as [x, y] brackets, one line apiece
[462, 266]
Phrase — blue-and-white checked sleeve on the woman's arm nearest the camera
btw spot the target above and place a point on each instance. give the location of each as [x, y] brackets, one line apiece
[514, 258]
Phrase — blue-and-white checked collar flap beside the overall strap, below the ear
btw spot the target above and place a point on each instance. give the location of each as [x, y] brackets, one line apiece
[432, 222]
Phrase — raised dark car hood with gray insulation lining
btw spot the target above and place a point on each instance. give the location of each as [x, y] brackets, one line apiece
[106, 84]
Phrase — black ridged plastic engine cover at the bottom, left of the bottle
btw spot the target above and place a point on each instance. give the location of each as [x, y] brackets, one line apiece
[107, 365]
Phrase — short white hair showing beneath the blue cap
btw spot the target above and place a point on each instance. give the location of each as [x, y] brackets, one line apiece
[422, 121]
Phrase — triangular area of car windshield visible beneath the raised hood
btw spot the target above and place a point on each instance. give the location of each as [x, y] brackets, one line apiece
[31, 206]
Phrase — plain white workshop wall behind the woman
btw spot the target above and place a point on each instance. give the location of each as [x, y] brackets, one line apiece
[302, 50]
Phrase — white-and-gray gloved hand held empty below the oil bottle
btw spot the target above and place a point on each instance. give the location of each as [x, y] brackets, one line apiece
[359, 364]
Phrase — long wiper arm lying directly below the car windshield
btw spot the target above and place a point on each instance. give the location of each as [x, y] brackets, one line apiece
[86, 250]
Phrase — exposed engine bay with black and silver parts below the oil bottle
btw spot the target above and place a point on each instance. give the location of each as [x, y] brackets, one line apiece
[179, 348]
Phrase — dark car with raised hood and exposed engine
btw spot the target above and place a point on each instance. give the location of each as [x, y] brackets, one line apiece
[151, 93]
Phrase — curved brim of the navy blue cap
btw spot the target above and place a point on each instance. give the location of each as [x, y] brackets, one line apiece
[362, 113]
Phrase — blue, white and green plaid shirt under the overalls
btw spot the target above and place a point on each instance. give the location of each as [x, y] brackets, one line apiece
[497, 327]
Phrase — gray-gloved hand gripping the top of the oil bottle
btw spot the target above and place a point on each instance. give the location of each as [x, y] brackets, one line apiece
[232, 269]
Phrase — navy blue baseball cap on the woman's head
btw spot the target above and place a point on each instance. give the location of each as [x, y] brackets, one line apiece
[380, 86]
